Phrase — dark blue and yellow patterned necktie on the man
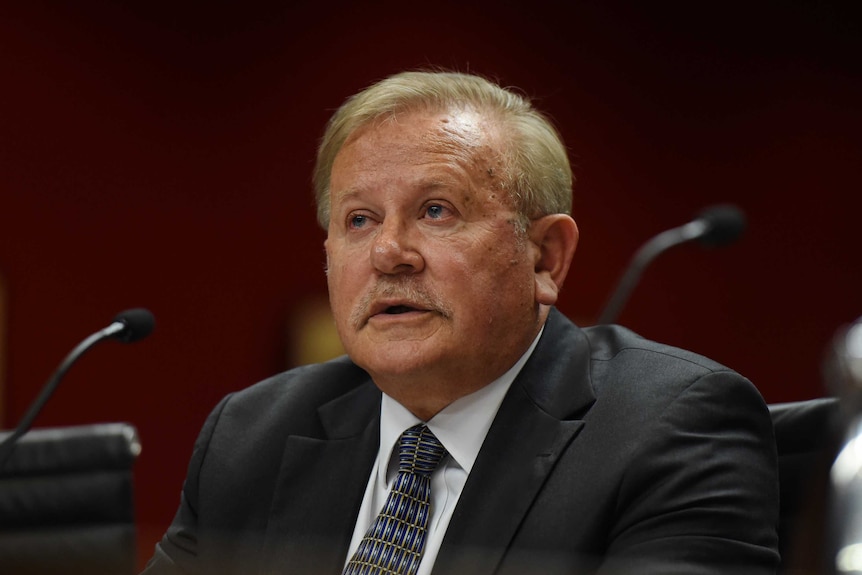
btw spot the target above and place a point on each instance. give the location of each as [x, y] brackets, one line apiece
[394, 542]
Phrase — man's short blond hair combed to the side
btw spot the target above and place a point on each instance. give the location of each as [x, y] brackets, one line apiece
[537, 172]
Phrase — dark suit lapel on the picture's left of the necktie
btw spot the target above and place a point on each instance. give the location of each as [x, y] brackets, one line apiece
[322, 478]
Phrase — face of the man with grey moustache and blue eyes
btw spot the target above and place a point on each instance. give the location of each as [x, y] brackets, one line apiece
[431, 285]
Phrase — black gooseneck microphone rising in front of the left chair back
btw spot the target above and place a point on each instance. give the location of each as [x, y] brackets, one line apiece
[128, 326]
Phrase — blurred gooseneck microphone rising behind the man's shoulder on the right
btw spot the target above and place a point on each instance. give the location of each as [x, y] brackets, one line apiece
[715, 227]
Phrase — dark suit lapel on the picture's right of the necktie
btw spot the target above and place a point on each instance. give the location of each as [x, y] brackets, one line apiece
[539, 418]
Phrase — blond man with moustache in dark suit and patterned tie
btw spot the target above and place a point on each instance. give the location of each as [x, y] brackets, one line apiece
[446, 200]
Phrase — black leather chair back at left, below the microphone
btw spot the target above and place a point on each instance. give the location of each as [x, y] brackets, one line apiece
[66, 502]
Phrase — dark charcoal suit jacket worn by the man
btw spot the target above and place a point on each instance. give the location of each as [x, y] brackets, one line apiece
[610, 452]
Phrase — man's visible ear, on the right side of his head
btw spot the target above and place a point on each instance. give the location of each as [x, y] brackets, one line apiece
[556, 238]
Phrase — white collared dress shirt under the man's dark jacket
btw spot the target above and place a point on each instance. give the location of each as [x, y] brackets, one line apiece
[461, 427]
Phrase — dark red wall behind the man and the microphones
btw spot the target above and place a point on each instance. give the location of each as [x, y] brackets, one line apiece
[158, 154]
